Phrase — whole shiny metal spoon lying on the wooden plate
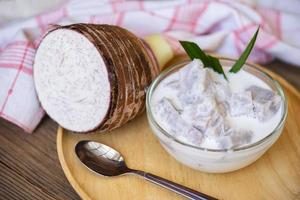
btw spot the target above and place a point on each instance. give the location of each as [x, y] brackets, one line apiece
[105, 160]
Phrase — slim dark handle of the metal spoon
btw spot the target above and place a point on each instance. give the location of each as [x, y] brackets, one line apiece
[179, 189]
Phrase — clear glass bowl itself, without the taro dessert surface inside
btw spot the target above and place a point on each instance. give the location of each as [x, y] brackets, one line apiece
[216, 160]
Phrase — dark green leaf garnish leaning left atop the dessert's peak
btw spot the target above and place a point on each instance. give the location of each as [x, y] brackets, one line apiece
[194, 51]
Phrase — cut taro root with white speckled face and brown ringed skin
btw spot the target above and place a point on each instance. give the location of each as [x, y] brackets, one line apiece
[91, 77]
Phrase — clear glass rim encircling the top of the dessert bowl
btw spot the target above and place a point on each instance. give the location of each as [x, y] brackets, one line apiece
[165, 72]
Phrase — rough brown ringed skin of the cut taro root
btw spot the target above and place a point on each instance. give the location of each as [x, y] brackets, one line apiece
[131, 66]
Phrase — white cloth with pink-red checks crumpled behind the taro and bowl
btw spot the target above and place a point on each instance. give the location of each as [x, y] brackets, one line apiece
[220, 26]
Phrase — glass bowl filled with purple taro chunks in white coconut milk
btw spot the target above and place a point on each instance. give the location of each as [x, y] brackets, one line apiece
[212, 124]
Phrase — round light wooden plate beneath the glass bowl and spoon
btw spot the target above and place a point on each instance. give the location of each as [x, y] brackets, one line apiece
[276, 175]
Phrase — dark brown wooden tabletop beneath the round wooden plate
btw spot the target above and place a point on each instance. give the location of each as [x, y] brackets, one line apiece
[29, 166]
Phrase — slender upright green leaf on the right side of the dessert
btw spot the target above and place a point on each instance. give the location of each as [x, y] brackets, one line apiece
[241, 61]
